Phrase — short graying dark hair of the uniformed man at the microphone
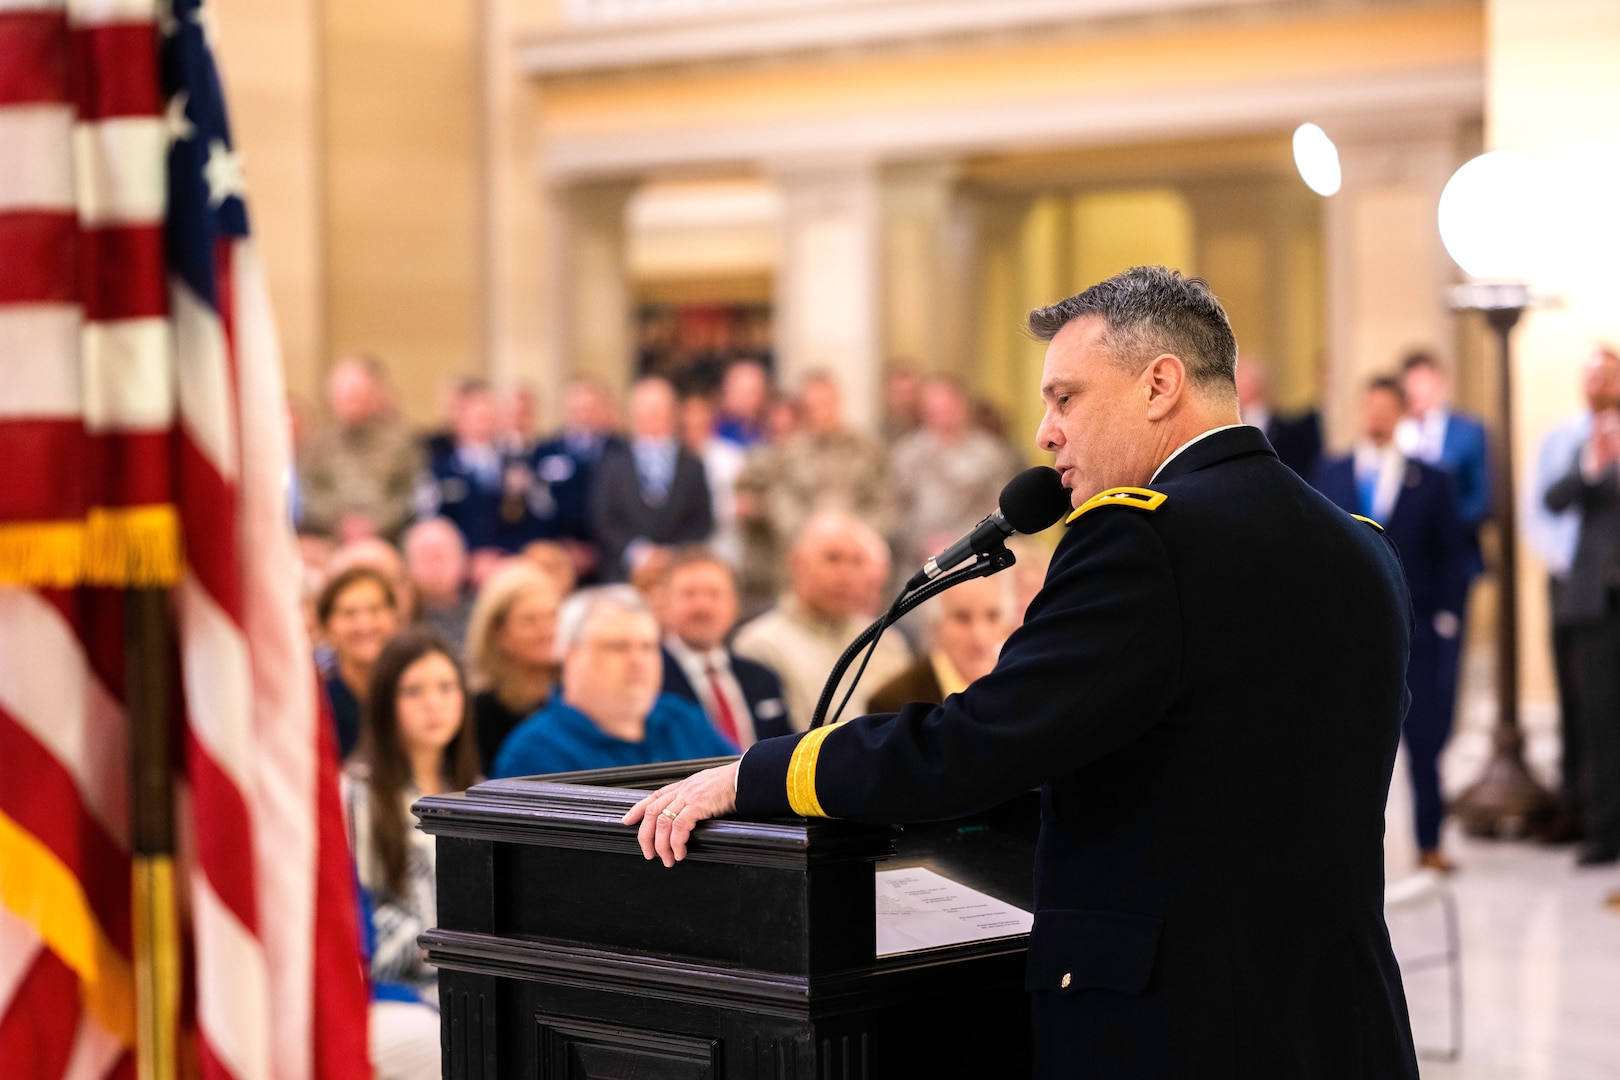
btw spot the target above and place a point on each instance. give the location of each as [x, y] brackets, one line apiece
[1151, 312]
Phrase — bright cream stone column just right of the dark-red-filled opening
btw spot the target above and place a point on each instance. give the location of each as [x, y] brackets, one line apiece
[829, 284]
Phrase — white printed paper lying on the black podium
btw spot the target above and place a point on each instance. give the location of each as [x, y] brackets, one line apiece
[919, 909]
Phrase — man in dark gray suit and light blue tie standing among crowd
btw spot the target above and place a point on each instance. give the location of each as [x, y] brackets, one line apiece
[652, 493]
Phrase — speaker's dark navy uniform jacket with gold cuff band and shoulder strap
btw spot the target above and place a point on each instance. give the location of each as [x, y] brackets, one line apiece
[1209, 697]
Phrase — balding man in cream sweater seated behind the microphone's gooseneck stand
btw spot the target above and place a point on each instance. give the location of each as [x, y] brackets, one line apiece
[801, 639]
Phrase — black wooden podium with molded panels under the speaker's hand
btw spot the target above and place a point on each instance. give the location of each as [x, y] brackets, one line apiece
[565, 955]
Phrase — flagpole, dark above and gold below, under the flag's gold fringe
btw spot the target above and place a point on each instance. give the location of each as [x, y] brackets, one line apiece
[150, 689]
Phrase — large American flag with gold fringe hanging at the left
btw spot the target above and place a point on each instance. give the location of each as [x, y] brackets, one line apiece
[143, 443]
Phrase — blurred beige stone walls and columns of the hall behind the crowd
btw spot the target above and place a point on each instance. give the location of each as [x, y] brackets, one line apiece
[495, 185]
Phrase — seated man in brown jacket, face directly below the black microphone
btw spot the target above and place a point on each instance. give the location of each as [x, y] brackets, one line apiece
[970, 623]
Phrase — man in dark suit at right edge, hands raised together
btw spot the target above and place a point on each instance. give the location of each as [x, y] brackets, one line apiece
[1588, 608]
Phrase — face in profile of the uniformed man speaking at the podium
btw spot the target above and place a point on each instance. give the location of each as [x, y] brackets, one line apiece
[1096, 417]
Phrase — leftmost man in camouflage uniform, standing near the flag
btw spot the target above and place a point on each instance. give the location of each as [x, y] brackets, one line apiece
[357, 474]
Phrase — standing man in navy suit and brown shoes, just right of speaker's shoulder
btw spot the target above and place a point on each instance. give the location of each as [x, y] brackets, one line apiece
[1418, 512]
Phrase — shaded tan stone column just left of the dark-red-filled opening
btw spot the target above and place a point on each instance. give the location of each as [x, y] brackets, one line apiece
[590, 312]
